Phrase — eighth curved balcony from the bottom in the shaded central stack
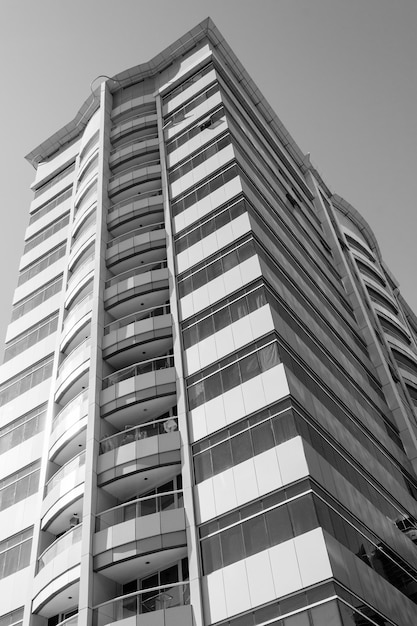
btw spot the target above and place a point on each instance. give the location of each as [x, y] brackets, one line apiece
[135, 212]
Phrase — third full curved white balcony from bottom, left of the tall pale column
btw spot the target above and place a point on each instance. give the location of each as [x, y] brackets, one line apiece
[68, 430]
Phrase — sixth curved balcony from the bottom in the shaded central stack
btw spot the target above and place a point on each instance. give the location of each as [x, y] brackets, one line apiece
[149, 283]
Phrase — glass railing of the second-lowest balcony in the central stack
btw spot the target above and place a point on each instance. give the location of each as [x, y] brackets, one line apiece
[139, 508]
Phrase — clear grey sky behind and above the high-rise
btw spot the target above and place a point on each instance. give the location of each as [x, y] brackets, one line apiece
[341, 75]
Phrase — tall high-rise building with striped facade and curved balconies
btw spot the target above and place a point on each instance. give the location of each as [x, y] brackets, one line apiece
[208, 399]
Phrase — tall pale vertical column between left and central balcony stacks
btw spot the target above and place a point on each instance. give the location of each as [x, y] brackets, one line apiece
[87, 588]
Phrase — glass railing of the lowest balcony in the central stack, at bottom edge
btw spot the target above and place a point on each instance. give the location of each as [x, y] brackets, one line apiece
[140, 602]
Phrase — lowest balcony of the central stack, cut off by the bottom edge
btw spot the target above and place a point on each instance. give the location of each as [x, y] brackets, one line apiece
[174, 598]
